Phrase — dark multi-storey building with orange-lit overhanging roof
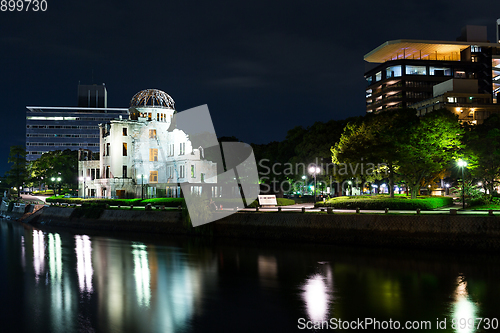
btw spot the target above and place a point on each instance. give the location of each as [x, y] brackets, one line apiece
[403, 72]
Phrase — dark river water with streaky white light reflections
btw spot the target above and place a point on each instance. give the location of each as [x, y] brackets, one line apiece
[57, 280]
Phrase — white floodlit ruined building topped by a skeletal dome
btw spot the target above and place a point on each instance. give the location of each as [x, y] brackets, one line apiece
[145, 154]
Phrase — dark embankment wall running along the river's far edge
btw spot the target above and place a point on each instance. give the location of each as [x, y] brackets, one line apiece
[457, 232]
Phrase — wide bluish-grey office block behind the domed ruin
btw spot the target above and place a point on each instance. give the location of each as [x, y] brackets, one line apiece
[50, 128]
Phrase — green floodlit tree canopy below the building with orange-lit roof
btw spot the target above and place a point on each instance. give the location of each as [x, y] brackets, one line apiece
[410, 147]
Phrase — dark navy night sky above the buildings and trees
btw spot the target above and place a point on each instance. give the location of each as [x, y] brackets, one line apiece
[263, 67]
